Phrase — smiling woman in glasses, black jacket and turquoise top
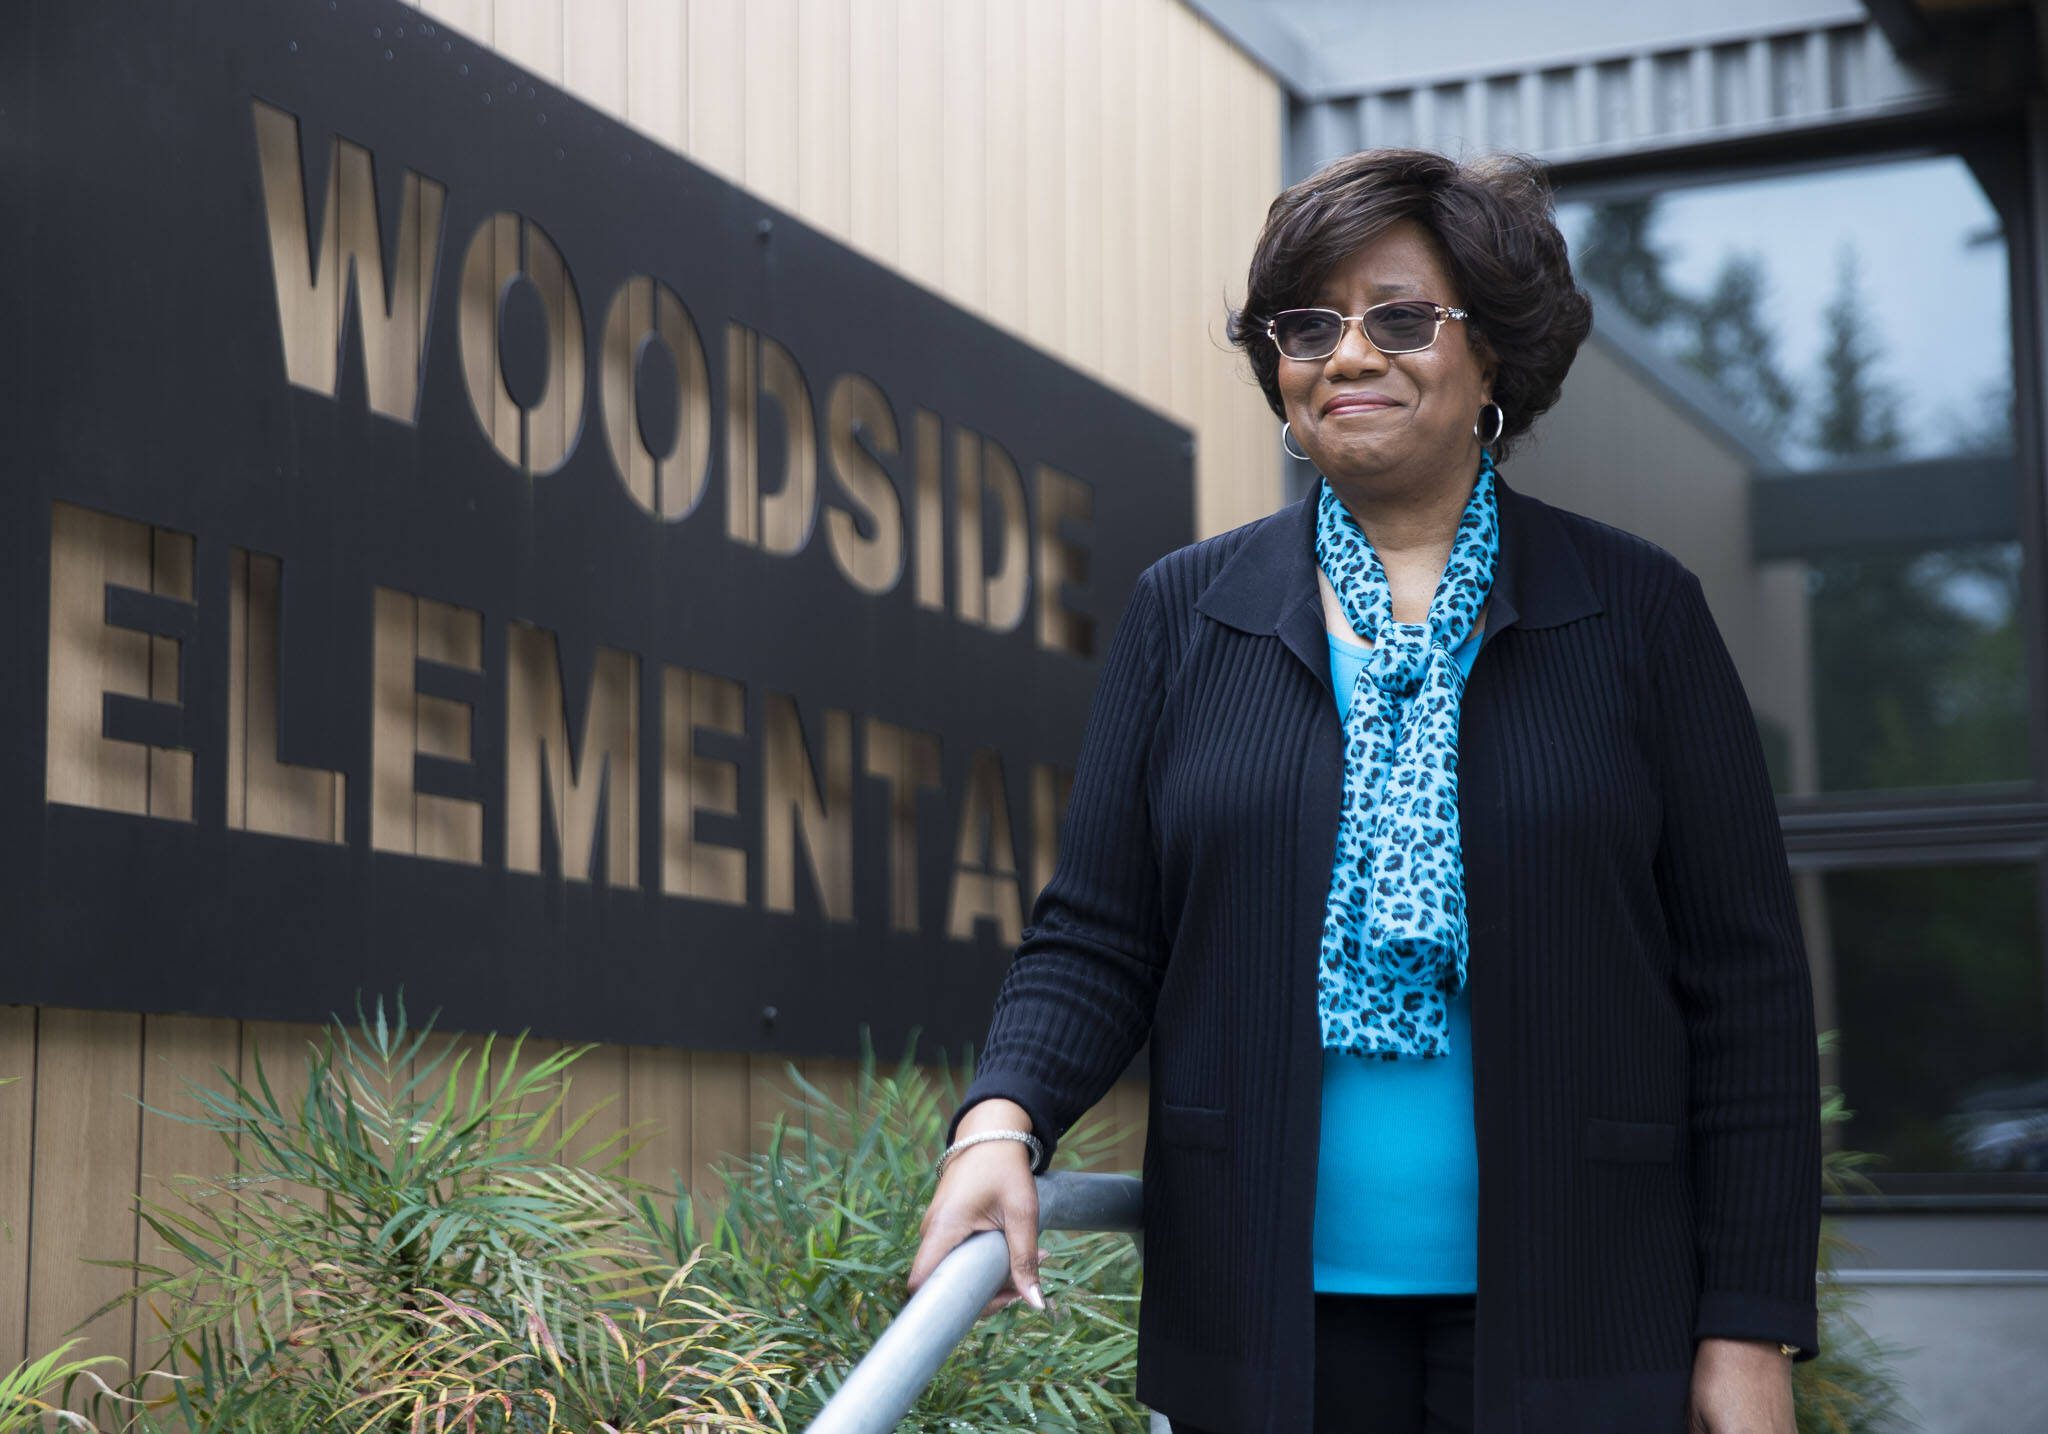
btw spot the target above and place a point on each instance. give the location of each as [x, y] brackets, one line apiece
[1426, 835]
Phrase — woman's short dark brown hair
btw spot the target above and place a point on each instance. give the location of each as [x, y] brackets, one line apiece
[1496, 233]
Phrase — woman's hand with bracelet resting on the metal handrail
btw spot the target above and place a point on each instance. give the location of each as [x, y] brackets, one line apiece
[988, 1187]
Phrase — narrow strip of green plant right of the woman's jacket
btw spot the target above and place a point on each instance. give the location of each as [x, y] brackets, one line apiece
[1848, 1388]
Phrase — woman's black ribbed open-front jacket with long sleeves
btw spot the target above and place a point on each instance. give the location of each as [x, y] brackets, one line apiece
[1644, 1042]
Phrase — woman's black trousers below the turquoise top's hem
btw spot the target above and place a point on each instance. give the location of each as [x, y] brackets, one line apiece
[1390, 1365]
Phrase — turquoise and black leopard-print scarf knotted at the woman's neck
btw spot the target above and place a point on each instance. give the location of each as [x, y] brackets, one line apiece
[1396, 931]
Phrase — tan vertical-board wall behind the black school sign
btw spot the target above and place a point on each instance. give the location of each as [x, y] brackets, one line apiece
[1084, 173]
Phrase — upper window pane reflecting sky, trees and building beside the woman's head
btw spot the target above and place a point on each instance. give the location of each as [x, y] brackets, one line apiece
[1803, 388]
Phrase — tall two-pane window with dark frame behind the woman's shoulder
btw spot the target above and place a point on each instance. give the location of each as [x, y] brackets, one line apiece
[1803, 386]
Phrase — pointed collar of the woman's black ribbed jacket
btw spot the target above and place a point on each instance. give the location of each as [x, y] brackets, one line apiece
[1269, 583]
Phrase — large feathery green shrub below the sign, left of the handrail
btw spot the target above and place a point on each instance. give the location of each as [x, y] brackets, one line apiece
[370, 1236]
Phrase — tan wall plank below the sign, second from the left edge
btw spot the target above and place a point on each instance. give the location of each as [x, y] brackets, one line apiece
[85, 1173]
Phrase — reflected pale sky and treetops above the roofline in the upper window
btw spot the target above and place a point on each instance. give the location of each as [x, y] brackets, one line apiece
[1836, 317]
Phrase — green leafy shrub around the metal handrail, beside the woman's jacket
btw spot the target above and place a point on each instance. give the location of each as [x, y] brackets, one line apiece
[820, 1232]
